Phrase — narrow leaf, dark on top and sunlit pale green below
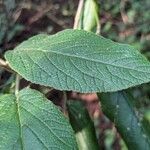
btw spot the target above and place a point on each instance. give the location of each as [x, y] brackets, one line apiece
[83, 126]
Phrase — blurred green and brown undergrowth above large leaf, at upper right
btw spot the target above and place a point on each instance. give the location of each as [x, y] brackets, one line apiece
[127, 21]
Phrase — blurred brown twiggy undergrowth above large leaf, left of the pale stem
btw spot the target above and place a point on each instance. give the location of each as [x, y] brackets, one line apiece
[21, 19]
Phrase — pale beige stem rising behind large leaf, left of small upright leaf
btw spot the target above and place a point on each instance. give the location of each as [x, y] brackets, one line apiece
[78, 14]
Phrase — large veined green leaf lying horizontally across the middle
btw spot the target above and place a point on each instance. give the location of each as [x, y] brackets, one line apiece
[80, 61]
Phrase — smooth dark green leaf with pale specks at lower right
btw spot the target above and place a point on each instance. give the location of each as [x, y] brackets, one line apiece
[119, 109]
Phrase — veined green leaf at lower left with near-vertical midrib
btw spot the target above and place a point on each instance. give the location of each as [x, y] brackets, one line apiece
[31, 122]
